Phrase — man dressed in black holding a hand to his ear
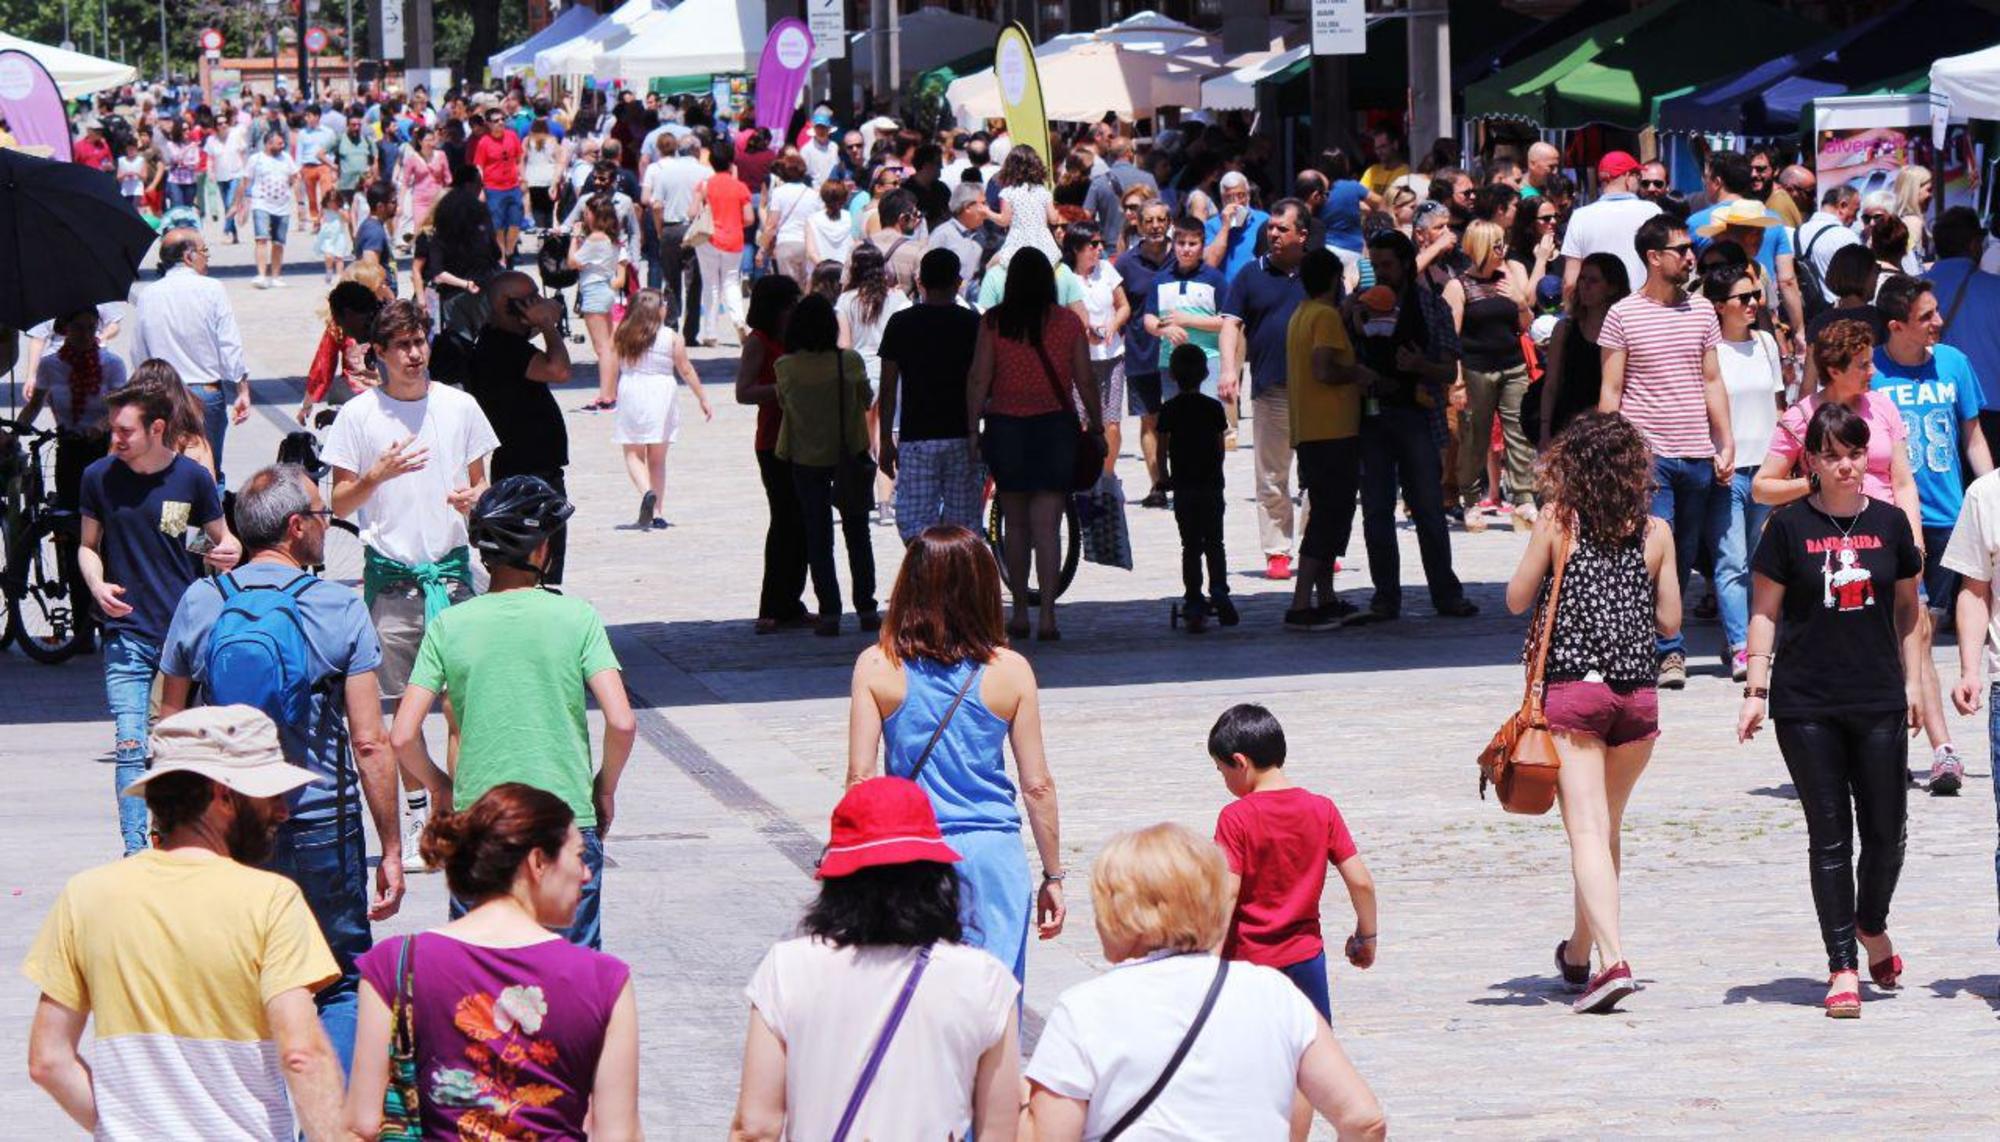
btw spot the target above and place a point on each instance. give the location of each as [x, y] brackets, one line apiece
[511, 379]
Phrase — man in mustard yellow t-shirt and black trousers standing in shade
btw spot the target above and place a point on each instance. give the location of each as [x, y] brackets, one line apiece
[1325, 385]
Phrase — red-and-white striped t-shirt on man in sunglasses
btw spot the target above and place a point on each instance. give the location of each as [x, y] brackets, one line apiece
[1663, 381]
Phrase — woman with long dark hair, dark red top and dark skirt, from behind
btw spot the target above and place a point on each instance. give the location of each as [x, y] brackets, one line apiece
[1031, 369]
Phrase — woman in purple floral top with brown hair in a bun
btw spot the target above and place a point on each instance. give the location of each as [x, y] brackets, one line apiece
[519, 1033]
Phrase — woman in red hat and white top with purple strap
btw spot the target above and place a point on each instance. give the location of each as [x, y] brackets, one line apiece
[883, 935]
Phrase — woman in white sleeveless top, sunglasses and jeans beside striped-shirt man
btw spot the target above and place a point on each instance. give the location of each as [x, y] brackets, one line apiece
[1755, 381]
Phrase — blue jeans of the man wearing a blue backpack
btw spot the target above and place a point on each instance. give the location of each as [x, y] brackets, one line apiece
[331, 871]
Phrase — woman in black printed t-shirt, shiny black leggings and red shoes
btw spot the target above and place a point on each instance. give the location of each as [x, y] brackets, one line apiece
[1837, 593]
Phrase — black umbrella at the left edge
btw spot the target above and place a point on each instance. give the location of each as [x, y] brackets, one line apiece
[67, 239]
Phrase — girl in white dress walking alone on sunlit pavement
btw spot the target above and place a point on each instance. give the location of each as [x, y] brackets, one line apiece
[649, 409]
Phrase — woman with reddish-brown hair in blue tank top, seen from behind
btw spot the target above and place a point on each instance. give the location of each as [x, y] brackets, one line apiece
[943, 695]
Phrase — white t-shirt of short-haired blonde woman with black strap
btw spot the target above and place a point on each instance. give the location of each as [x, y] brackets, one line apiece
[1109, 1041]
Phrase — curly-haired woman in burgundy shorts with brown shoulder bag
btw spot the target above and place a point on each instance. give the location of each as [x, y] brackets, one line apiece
[1601, 679]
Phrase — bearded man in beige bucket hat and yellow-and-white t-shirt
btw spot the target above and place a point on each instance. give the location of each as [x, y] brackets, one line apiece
[197, 967]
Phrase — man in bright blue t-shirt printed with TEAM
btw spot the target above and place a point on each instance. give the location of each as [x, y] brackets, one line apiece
[1939, 397]
